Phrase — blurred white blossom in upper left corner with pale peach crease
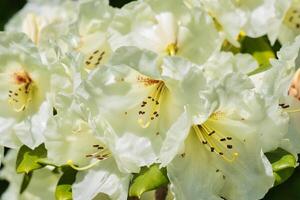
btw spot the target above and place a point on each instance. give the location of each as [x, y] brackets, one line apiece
[39, 19]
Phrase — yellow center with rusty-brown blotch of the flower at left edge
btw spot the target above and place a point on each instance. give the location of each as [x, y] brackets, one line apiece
[21, 94]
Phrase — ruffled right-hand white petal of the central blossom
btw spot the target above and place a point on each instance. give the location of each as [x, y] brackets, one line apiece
[190, 87]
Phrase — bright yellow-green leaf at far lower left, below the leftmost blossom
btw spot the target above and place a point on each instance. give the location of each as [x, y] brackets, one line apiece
[28, 159]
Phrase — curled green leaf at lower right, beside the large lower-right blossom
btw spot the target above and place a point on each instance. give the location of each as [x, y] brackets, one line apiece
[283, 164]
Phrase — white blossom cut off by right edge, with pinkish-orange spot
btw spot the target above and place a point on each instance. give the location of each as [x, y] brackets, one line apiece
[280, 84]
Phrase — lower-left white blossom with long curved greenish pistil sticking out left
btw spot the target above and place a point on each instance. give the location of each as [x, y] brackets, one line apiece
[71, 141]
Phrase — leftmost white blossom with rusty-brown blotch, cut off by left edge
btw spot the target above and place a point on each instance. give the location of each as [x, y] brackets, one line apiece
[25, 88]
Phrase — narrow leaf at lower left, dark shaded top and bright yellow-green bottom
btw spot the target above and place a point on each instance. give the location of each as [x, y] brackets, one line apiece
[63, 189]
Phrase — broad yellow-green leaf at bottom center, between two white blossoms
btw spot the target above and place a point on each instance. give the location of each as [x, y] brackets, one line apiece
[148, 179]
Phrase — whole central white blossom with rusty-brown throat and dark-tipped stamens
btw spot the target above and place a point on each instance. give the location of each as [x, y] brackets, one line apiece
[150, 102]
